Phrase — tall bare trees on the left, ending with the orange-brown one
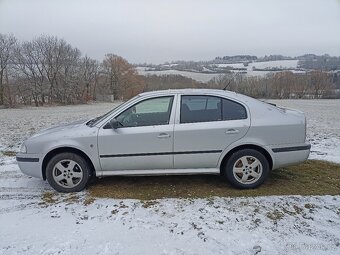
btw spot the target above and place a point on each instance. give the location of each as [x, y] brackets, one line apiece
[48, 70]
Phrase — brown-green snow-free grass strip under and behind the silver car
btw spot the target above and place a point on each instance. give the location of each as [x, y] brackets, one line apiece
[310, 178]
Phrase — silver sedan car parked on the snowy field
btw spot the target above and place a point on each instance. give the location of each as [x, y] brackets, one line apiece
[190, 131]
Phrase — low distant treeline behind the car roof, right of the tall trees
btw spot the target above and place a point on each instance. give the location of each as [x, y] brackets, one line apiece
[281, 85]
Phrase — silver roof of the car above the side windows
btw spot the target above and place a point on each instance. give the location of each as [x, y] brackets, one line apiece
[189, 91]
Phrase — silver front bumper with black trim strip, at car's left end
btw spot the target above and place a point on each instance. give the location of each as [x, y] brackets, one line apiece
[30, 164]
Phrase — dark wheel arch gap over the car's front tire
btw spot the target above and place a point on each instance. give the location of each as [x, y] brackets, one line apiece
[59, 150]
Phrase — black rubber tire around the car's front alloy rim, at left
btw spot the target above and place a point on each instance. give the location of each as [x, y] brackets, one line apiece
[81, 166]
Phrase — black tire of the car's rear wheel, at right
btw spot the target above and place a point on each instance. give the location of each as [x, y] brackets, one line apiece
[234, 178]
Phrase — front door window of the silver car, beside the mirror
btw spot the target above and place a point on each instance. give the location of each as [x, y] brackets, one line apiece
[150, 112]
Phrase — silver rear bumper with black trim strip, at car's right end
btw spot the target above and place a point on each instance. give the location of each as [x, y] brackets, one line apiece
[289, 155]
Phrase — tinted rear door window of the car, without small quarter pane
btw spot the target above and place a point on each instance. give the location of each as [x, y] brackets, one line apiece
[200, 109]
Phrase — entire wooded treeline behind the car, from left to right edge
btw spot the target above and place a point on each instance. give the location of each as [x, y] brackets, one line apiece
[48, 70]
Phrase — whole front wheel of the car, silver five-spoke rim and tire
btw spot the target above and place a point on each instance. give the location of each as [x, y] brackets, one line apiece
[68, 172]
